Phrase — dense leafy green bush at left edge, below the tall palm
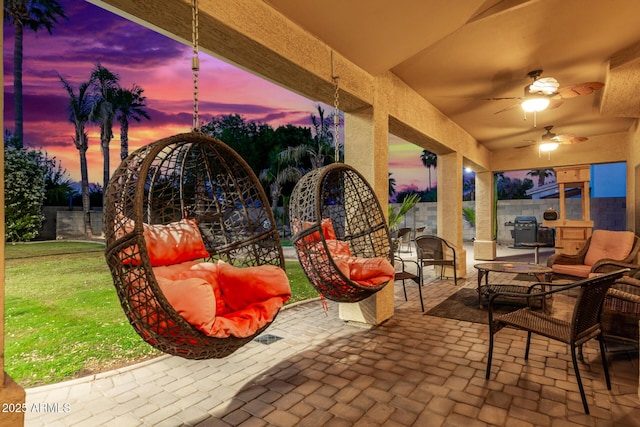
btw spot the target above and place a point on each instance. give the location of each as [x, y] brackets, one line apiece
[23, 194]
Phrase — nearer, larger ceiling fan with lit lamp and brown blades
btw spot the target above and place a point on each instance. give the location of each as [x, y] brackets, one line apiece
[546, 92]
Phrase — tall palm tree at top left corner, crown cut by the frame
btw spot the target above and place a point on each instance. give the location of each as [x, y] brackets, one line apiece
[34, 14]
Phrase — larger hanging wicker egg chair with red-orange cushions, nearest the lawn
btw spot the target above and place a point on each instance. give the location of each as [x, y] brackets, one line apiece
[173, 204]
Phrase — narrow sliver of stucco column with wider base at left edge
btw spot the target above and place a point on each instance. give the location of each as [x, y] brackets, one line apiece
[10, 392]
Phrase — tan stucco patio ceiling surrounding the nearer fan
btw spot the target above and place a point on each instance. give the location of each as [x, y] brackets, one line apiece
[456, 54]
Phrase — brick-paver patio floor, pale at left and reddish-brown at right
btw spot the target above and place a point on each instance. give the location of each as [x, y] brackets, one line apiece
[314, 369]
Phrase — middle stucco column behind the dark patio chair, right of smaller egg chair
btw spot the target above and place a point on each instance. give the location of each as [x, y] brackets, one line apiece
[449, 209]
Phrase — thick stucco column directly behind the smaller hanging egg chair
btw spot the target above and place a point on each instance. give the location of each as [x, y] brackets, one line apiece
[366, 149]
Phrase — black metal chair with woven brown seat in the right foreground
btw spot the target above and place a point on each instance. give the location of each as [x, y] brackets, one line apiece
[583, 326]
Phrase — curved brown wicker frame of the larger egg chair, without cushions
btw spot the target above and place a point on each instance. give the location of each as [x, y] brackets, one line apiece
[199, 177]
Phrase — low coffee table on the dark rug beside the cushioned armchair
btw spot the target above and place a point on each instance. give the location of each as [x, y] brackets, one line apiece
[542, 273]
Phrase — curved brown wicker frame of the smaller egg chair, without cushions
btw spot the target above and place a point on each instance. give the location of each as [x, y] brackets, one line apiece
[340, 193]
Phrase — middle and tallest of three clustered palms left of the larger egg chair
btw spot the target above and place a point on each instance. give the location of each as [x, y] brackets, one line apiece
[105, 86]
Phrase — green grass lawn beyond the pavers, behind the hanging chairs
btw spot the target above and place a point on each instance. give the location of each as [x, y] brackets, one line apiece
[62, 316]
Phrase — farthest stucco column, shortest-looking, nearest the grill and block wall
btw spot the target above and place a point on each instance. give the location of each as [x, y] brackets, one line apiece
[484, 246]
